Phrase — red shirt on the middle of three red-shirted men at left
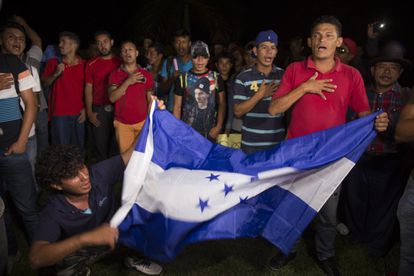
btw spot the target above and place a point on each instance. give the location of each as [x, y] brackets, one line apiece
[97, 73]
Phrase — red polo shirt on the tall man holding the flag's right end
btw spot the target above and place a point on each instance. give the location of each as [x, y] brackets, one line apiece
[311, 113]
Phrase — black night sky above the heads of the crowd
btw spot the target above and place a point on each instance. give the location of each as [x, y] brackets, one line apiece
[287, 19]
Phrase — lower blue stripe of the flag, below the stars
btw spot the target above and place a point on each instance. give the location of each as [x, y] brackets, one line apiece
[252, 218]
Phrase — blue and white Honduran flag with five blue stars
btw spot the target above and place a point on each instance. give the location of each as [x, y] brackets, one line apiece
[179, 188]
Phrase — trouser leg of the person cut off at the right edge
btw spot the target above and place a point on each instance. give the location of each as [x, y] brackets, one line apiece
[405, 215]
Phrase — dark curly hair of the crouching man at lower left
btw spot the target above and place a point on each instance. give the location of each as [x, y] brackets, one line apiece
[58, 162]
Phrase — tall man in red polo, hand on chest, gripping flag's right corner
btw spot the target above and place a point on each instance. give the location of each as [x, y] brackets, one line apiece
[320, 90]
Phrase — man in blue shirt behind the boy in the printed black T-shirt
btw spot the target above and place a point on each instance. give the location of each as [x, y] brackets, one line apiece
[173, 66]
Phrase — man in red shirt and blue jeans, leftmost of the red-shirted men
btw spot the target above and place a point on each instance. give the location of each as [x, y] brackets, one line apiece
[66, 79]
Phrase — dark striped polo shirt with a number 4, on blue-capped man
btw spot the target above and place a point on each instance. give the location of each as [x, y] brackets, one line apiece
[260, 130]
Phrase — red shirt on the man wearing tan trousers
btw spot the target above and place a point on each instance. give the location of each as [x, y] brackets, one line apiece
[132, 107]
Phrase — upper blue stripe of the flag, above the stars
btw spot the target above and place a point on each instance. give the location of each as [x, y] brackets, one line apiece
[188, 149]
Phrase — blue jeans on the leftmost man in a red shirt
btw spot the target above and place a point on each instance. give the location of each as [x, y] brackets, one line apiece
[66, 130]
